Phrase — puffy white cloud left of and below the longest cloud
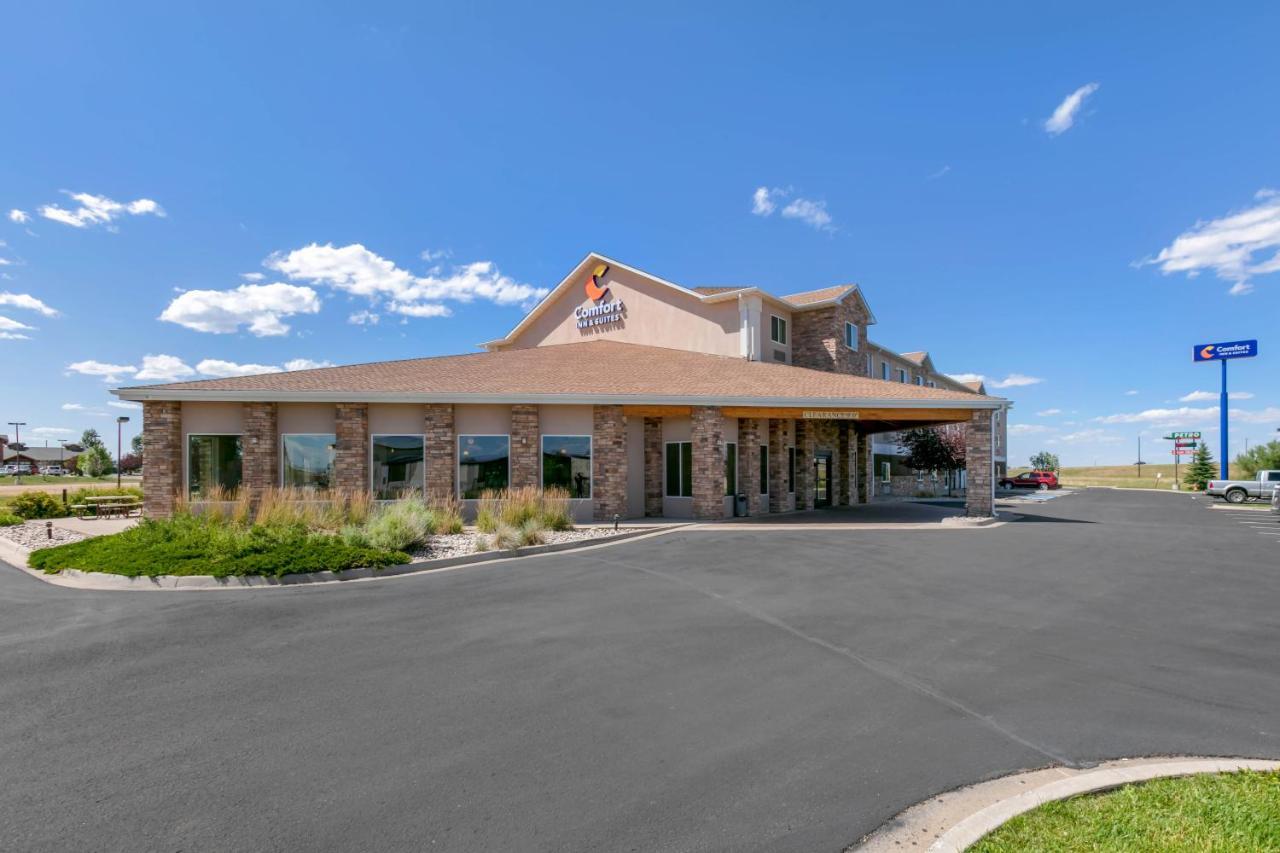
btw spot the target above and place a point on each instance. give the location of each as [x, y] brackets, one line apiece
[259, 307]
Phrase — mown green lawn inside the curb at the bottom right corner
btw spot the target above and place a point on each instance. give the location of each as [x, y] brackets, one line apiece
[1213, 813]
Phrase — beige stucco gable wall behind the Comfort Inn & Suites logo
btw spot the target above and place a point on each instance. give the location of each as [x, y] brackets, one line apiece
[657, 316]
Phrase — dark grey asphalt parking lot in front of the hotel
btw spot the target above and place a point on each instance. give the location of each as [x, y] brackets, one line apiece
[701, 691]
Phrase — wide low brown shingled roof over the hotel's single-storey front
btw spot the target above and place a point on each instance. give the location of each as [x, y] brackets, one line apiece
[588, 371]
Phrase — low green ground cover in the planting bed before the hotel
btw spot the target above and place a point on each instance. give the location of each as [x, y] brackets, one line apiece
[190, 545]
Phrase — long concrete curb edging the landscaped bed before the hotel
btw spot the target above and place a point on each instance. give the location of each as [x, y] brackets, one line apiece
[99, 581]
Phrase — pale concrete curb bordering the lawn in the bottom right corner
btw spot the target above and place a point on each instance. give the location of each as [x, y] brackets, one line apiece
[959, 819]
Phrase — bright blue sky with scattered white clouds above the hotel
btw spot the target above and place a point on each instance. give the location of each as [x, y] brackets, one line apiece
[1068, 195]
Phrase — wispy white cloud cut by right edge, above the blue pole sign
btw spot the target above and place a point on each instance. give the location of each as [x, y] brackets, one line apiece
[1228, 245]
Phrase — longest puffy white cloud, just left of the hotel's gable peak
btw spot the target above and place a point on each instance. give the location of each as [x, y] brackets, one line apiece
[354, 270]
